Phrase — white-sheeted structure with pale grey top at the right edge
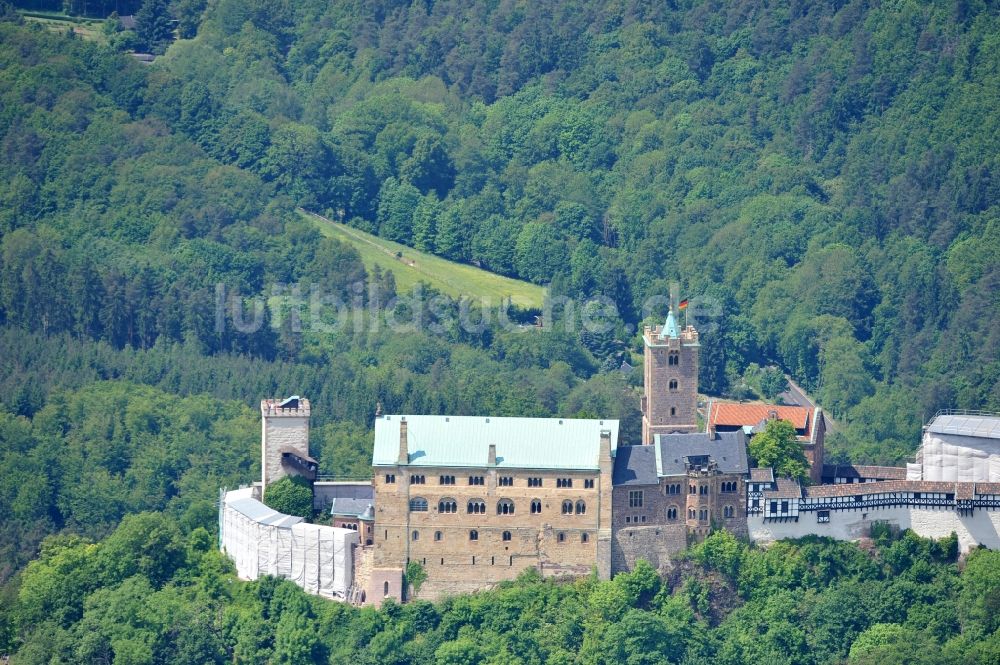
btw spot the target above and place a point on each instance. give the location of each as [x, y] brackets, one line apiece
[961, 448]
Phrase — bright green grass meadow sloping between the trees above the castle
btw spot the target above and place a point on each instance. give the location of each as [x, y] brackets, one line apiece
[411, 266]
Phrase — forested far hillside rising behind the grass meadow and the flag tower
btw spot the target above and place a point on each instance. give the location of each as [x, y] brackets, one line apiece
[825, 171]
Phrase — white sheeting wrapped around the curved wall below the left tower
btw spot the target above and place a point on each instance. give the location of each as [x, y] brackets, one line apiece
[262, 541]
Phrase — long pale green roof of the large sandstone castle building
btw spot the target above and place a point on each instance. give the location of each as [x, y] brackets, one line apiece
[521, 443]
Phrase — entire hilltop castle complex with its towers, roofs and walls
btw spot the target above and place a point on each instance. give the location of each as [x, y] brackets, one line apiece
[477, 500]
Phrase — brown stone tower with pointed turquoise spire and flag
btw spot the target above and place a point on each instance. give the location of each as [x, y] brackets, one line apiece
[670, 371]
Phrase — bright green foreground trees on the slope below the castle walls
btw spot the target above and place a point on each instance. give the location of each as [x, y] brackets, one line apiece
[903, 600]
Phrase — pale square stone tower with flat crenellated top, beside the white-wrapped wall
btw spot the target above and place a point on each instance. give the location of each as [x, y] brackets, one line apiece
[284, 440]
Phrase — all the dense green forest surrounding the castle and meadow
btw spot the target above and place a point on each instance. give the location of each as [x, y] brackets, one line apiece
[821, 178]
